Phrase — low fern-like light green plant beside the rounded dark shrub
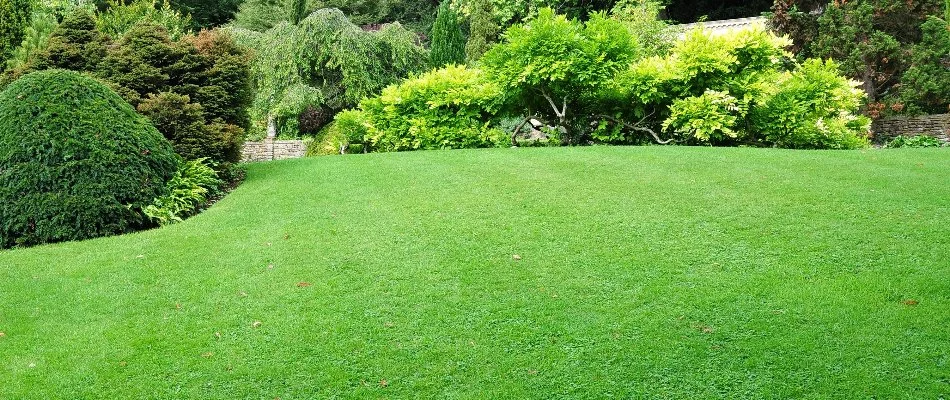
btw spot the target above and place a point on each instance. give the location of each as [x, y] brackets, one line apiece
[190, 189]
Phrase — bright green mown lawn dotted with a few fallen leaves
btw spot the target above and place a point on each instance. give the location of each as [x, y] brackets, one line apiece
[653, 272]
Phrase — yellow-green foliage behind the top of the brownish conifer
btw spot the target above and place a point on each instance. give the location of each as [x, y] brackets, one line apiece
[122, 15]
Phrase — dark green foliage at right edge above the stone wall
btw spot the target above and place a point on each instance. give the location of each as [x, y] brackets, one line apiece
[926, 84]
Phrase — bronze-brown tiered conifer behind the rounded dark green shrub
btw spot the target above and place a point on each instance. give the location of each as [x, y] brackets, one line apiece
[196, 91]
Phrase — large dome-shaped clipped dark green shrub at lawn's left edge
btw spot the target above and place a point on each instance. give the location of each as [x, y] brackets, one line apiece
[76, 161]
